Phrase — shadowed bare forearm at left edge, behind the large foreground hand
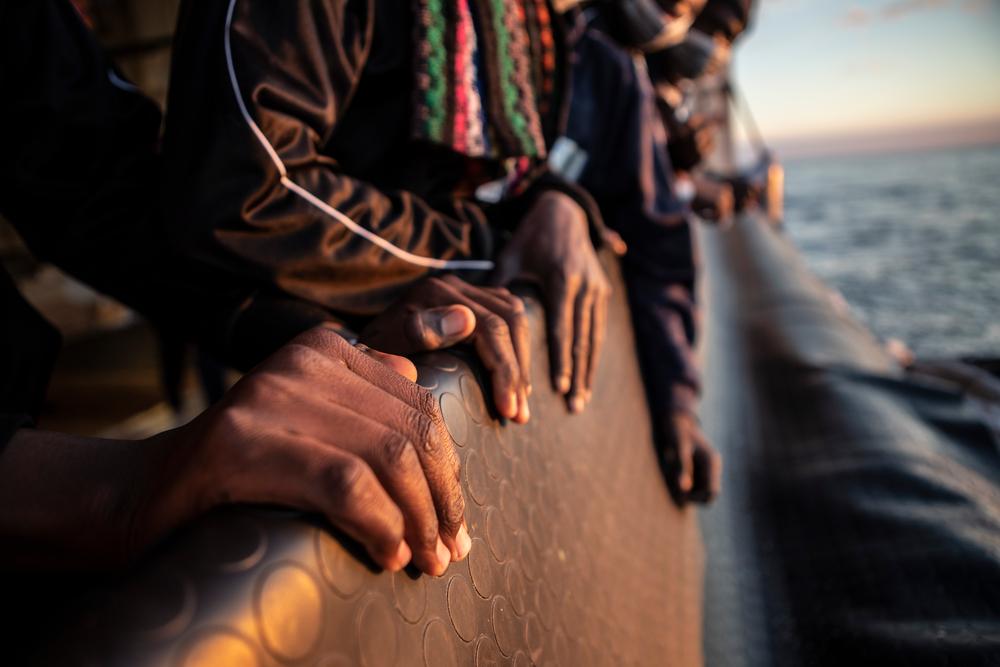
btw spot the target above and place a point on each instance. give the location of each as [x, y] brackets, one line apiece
[68, 502]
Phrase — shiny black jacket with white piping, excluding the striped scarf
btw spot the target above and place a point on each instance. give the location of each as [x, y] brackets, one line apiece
[329, 85]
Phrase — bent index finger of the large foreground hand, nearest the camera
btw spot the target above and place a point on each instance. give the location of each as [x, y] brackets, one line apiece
[297, 471]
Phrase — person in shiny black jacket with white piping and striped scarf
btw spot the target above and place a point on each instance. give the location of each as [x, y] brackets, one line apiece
[369, 155]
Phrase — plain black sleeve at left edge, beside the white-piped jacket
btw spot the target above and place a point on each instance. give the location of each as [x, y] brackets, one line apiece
[79, 174]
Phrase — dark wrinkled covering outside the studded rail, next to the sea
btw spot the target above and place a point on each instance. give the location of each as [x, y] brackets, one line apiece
[859, 522]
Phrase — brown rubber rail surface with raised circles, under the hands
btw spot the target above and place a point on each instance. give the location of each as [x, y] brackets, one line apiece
[579, 557]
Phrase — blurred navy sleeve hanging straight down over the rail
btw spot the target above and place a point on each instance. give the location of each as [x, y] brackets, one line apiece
[613, 119]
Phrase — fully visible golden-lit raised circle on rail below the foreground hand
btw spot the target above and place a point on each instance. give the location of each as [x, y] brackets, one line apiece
[289, 631]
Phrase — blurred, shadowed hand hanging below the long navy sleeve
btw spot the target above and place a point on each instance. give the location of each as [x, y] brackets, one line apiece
[692, 466]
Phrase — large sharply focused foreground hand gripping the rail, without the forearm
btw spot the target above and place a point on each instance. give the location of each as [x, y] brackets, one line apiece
[323, 426]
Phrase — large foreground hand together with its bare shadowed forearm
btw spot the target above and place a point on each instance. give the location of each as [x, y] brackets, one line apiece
[320, 426]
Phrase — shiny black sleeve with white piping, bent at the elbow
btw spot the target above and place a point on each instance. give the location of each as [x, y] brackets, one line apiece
[256, 98]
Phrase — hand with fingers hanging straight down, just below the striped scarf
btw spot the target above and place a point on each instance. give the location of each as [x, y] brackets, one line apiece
[552, 247]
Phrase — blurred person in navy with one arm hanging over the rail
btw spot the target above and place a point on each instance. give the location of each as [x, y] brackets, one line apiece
[615, 147]
